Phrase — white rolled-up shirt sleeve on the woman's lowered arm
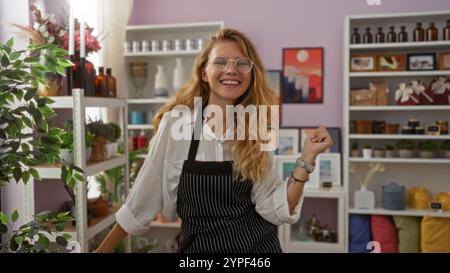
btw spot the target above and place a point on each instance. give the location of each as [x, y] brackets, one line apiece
[145, 198]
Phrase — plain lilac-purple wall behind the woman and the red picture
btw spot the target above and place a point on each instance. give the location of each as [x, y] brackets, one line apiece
[274, 24]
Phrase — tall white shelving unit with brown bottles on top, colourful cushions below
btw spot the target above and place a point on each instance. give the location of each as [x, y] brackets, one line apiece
[429, 173]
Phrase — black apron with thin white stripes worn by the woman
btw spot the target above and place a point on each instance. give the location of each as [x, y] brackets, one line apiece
[217, 213]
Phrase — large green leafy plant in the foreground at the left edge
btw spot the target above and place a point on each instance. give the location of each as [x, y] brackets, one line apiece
[26, 138]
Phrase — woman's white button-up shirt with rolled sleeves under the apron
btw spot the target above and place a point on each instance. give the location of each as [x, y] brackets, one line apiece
[156, 187]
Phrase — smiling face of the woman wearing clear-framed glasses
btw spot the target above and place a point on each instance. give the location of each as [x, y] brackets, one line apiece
[227, 82]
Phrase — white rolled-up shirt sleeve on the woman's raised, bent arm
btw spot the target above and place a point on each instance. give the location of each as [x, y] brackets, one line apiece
[270, 199]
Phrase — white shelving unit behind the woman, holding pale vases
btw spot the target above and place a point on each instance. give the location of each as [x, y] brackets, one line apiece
[161, 232]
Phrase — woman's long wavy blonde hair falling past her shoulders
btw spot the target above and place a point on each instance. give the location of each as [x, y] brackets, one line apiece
[250, 162]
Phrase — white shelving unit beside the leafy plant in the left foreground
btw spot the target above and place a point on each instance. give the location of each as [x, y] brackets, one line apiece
[78, 103]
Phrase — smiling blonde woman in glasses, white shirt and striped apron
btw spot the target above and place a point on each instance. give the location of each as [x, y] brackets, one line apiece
[224, 191]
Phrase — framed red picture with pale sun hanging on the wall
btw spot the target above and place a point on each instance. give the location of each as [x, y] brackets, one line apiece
[302, 75]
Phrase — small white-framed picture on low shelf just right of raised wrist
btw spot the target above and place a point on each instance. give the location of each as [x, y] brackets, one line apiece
[329, 166]
